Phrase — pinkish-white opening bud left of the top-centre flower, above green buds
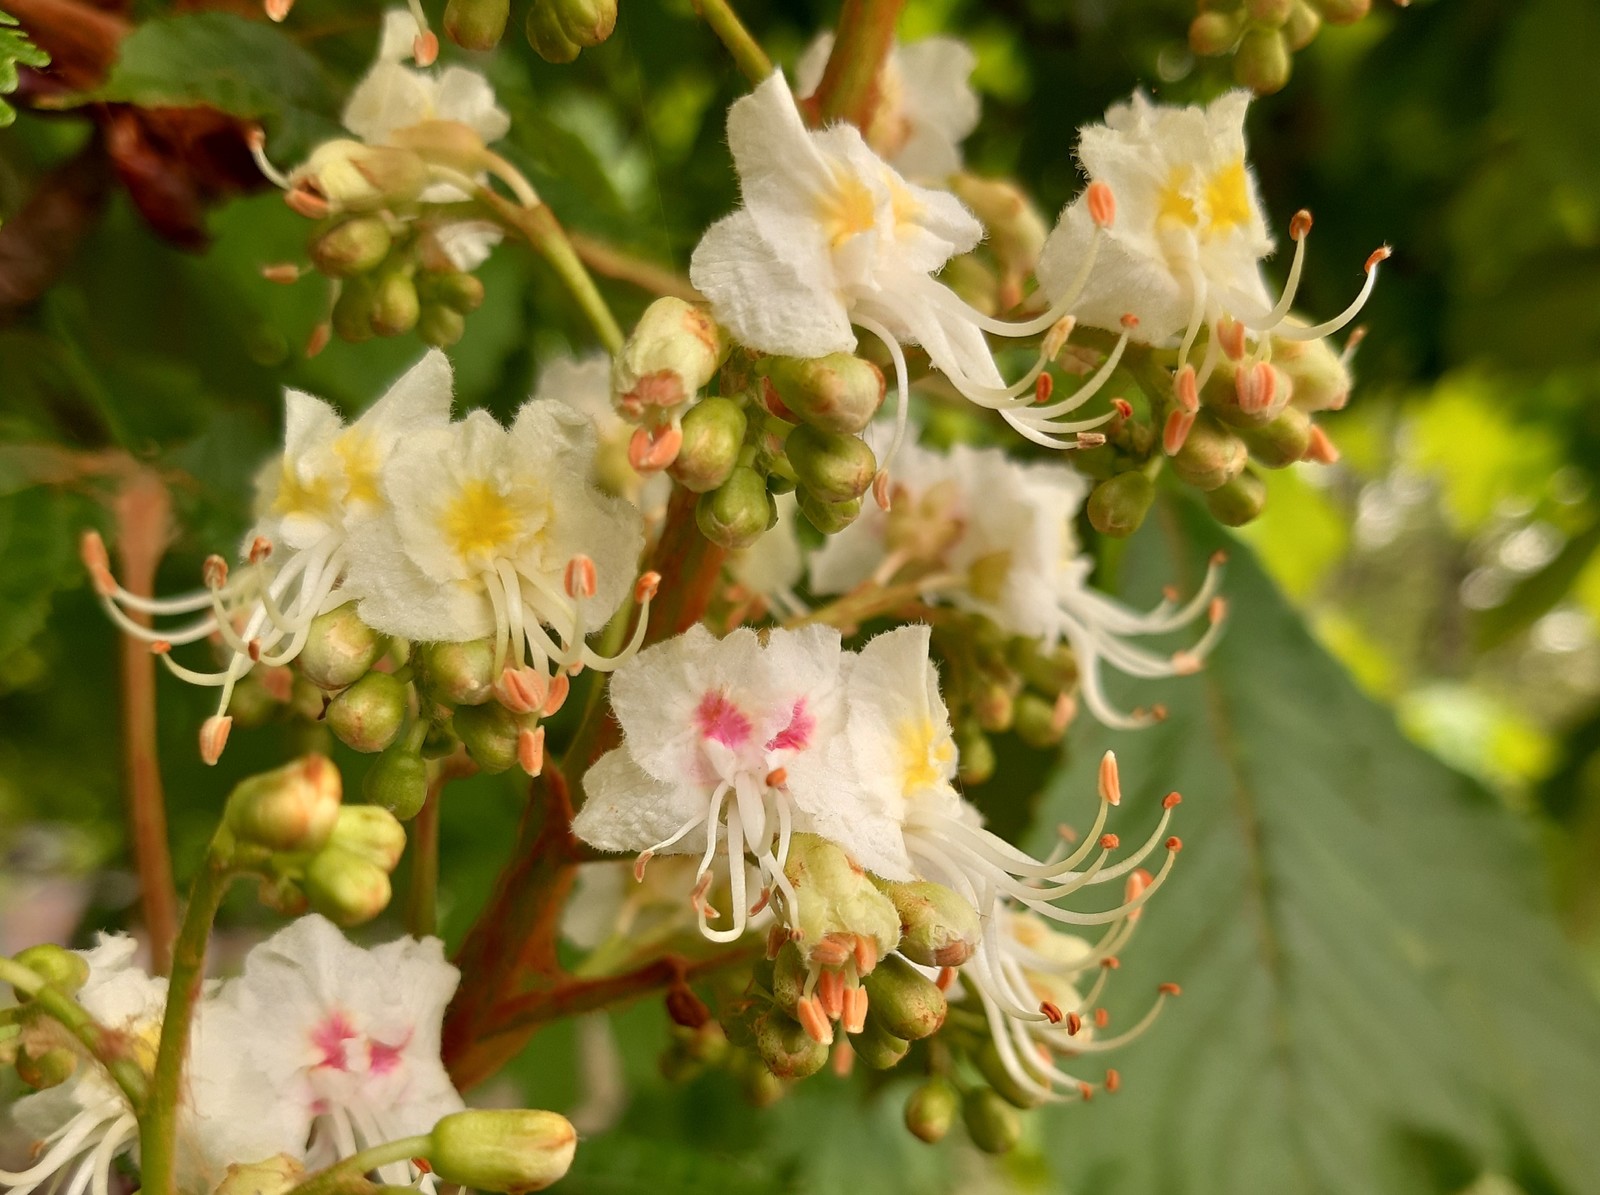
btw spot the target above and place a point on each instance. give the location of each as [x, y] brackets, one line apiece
[673, 354]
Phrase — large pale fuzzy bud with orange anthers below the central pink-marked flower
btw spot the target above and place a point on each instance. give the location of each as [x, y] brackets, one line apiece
[839, 901]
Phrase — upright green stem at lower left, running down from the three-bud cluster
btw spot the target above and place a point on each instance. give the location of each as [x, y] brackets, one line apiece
[159, 1127]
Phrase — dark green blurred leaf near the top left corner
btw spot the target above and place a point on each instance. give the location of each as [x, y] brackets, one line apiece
[246, 68]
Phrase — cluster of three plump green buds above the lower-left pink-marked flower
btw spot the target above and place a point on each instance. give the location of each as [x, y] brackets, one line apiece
[311, 850]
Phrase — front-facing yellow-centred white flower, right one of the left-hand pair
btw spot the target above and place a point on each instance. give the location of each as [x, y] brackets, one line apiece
[497, 532]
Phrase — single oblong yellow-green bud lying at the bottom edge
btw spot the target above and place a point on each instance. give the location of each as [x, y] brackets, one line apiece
[513, 1149]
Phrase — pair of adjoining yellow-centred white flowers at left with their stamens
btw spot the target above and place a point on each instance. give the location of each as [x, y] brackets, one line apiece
[434, 532]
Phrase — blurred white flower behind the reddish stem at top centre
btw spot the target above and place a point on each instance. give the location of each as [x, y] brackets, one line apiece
[927, 105]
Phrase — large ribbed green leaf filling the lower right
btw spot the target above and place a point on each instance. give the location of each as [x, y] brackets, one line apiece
[1374, 983]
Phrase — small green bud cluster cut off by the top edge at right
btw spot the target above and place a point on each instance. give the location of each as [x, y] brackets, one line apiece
[1265, 34]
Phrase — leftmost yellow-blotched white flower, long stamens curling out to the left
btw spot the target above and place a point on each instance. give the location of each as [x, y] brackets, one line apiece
[308, 505]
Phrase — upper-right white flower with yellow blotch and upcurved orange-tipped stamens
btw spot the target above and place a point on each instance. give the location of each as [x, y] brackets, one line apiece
[1186, 244]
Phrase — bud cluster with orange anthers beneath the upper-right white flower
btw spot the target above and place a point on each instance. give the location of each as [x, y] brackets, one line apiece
[1255, 412]
